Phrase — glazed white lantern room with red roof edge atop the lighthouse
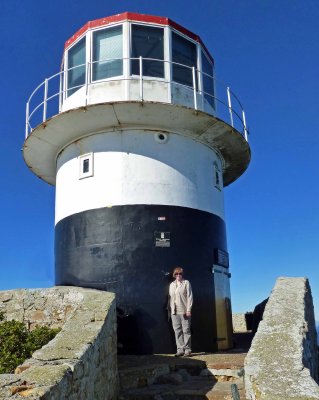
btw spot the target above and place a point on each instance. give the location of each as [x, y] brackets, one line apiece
[130, 57]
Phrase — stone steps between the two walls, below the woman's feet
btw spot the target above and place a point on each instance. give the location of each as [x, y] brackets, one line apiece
[164, 377]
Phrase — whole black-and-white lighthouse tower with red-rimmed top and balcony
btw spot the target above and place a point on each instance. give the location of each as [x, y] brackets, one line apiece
[140, 140]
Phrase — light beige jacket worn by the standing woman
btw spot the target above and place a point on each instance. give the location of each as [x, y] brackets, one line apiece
[183, 297]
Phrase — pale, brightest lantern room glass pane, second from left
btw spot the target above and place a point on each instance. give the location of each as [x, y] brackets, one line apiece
[107, 53]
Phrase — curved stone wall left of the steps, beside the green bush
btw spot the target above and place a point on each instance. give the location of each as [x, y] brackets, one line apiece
[81, 361]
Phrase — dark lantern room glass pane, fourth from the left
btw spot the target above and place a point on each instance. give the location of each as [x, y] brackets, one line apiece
[183, 52]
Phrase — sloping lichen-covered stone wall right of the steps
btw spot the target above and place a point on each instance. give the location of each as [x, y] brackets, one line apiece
[282, 362]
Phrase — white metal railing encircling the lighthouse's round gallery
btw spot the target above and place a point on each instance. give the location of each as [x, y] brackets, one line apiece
[52, 94]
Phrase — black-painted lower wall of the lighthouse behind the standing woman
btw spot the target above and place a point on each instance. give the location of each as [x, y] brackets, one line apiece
[119, 249]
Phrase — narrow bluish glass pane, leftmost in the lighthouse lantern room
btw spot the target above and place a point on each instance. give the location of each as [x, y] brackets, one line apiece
[76, 67]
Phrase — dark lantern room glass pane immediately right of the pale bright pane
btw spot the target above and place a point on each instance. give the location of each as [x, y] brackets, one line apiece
[148, 42]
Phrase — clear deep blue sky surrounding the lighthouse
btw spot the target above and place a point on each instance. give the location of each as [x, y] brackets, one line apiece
[266, 50]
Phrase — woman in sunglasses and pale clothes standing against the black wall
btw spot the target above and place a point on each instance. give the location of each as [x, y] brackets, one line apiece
[181, 301]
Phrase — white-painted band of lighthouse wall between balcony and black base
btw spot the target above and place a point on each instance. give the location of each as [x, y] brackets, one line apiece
[135, 167]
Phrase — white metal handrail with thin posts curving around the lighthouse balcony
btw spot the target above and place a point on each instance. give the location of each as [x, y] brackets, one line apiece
[198, 90]
